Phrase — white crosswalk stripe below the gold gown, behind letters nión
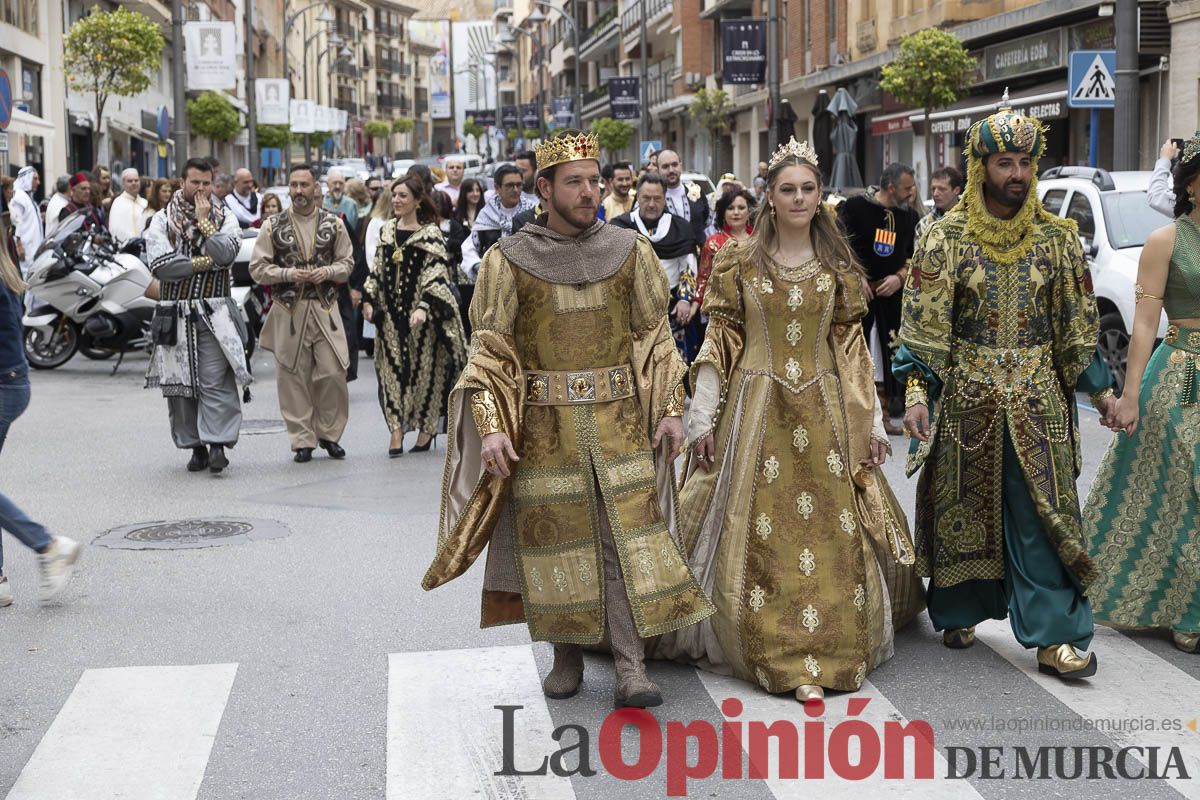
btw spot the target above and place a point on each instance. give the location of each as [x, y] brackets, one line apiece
[761, 707]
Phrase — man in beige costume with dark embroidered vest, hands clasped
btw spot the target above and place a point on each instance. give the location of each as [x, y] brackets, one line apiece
[305, 254]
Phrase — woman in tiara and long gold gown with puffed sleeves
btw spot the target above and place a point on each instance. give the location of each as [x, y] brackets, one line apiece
[787, 518]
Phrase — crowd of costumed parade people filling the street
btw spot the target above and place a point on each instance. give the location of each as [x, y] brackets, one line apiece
[597, 299]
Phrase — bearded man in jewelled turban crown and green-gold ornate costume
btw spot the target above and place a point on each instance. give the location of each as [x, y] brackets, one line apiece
[999, 334]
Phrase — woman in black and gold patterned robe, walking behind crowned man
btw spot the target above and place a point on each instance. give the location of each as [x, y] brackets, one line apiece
[421, 347]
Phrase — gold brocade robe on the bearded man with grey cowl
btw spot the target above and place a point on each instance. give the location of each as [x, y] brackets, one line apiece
[545, 563]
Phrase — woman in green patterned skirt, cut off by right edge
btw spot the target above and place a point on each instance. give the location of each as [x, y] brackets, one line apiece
[1143, 519]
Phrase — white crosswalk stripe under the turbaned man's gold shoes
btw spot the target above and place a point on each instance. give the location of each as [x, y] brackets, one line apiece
[1132, 684]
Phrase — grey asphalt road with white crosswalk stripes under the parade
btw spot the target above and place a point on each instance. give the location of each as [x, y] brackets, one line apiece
[310, 664]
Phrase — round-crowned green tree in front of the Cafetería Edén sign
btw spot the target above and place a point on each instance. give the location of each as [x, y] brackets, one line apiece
[932, 71]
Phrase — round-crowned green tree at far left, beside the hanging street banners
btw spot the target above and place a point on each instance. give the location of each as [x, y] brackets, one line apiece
[112, 55]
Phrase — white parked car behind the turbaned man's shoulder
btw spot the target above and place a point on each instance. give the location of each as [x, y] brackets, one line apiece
[1114, 224]
